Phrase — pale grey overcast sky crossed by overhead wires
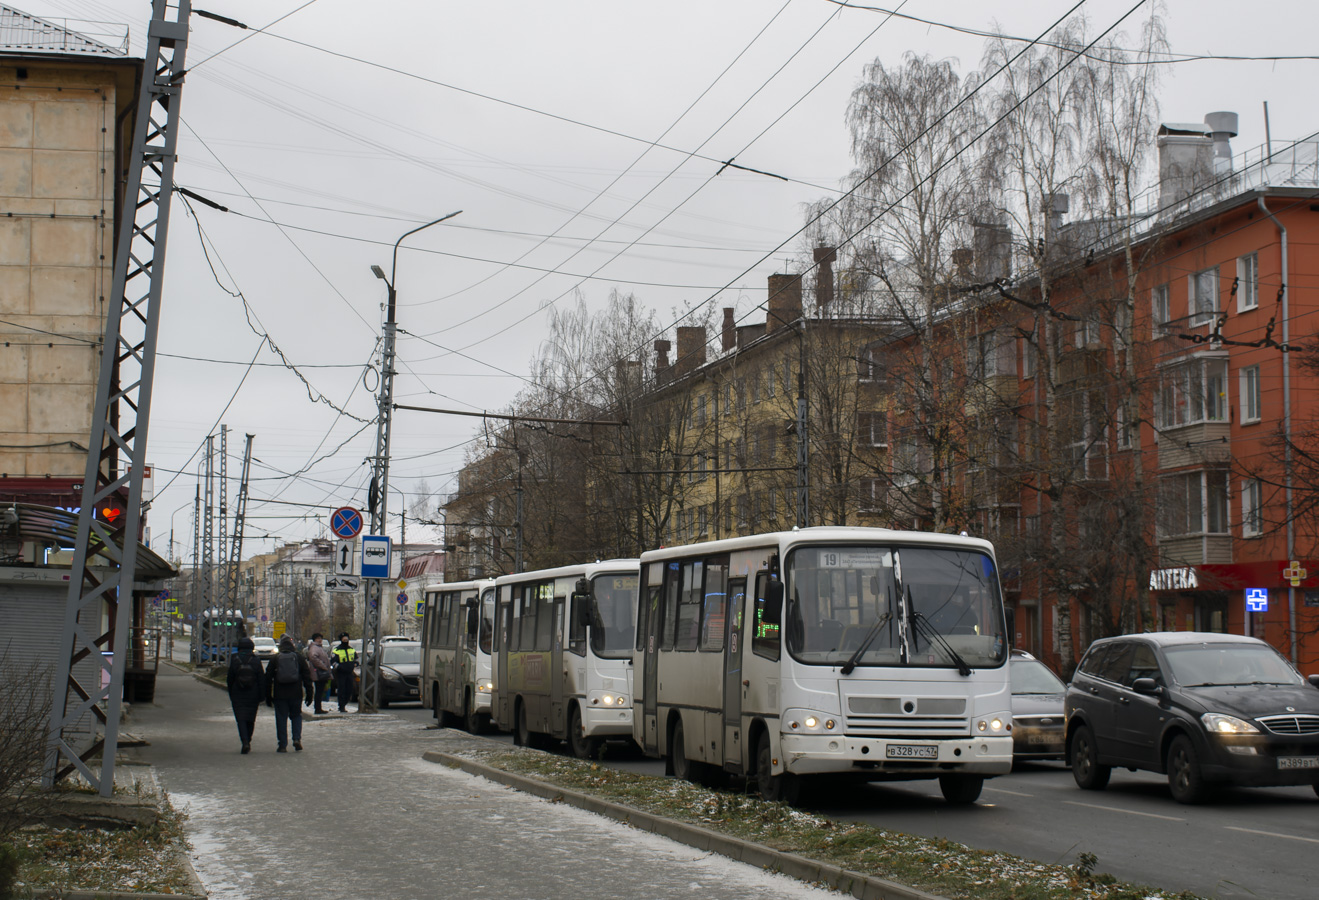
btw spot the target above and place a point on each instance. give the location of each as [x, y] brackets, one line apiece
[352, 123]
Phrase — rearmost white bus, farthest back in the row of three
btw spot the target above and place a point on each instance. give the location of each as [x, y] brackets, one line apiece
[457, 631]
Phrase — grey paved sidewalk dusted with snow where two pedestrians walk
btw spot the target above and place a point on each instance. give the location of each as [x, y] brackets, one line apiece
[361, 815]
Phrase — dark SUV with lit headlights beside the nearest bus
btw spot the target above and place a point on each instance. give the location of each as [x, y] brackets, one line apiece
[1201, 708]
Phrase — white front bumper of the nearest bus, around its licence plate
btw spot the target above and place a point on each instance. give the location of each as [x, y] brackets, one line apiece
[899, 758]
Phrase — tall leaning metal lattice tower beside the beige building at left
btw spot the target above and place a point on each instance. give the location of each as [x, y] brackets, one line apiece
[118, 444]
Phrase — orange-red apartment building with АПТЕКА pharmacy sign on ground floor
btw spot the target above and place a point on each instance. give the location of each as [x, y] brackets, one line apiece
[1161, 418]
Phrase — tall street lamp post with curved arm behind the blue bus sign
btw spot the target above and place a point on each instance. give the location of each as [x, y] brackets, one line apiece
[378, 498]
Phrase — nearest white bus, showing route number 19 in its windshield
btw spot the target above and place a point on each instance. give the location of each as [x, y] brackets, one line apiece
[862, 653]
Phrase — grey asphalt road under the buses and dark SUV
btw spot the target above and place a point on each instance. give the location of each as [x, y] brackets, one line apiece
[1246, 843]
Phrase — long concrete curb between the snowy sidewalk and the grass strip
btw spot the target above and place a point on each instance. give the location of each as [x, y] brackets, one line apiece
[776, 861]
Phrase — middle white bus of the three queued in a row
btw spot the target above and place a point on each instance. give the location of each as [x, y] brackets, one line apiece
[564, 655]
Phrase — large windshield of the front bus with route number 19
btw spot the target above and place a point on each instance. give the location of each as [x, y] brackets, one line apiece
[912, 606]
